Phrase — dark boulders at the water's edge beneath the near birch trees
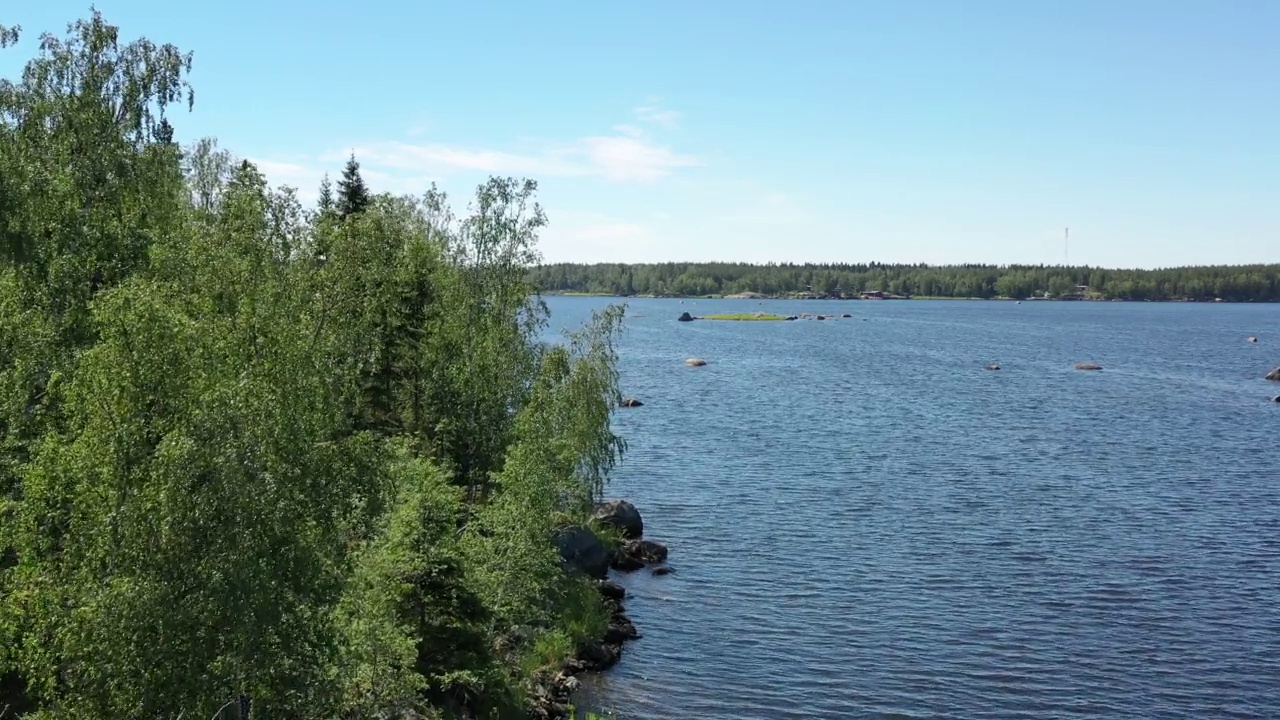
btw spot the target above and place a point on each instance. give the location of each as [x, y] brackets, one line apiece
[583, 552]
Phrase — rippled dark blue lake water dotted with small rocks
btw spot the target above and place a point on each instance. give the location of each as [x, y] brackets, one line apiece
[866, 523]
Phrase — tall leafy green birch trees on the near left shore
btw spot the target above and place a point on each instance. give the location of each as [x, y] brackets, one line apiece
[309, 459]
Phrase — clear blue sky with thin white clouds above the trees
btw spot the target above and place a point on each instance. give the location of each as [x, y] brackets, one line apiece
[898, 131]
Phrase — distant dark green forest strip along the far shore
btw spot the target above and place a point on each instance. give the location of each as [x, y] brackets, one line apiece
[1241, 284]
